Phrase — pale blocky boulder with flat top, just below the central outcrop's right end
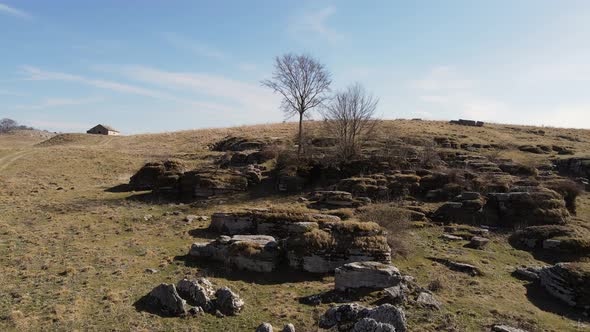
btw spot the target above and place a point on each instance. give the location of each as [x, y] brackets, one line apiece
[366, 275]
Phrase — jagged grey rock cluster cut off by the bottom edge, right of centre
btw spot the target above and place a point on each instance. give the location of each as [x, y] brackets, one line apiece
[354, 317]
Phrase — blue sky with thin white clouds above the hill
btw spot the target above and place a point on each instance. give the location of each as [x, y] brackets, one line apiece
[151, 66]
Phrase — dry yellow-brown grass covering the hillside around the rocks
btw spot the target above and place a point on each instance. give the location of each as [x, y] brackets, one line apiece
[74, 254]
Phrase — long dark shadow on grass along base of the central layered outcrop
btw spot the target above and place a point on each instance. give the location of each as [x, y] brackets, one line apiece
[219, 270]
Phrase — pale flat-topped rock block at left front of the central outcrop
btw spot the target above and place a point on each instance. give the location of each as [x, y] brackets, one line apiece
[257, 253]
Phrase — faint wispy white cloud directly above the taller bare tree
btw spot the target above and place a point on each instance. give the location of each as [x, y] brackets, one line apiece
[315, 24]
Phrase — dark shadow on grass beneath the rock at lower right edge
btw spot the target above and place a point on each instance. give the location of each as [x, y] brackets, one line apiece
[539, 297]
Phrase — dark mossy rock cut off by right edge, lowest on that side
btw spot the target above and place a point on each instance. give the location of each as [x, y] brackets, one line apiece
[569, 282]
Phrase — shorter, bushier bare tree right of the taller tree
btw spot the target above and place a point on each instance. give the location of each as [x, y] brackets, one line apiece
[350, 118]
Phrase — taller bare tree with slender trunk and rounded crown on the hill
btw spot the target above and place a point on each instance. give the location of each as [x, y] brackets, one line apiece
[303, 82]
